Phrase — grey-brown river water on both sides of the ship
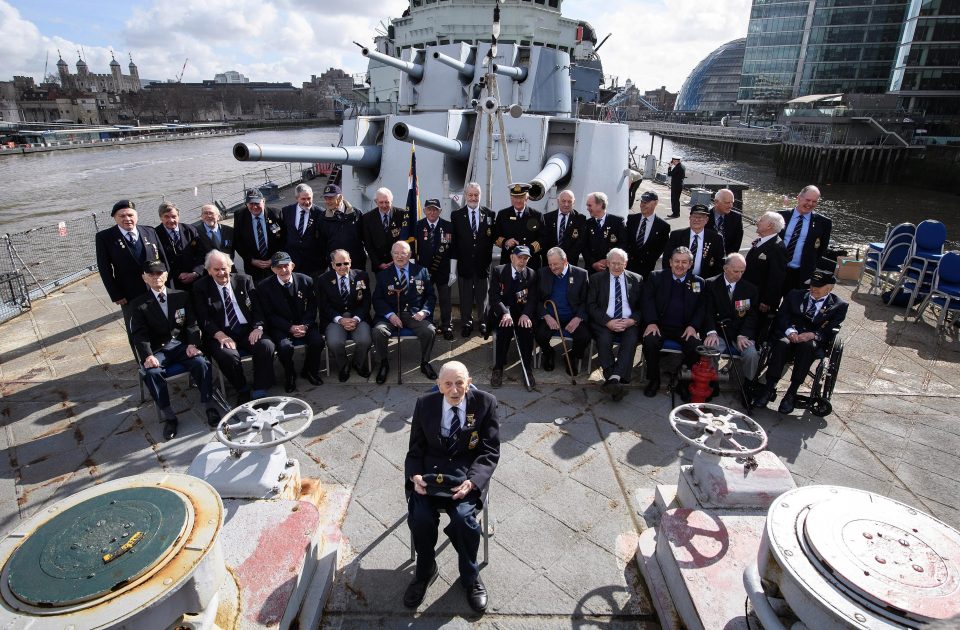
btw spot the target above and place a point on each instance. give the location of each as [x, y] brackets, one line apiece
[44, 188]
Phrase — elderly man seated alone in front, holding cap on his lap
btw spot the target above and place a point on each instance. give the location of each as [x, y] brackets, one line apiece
[454, 449]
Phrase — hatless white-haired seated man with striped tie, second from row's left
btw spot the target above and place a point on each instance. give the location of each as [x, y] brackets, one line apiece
[228, 311]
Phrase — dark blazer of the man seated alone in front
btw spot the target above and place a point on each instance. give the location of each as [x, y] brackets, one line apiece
[478, 447]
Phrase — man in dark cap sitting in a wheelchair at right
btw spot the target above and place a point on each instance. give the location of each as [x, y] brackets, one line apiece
[805, 326]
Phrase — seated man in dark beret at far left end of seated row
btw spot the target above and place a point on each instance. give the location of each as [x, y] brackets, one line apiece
[164, 332]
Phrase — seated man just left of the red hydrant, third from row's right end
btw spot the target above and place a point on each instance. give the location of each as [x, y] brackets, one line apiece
[674, 307]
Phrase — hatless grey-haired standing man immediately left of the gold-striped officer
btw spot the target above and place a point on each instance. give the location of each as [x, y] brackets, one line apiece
[473, 249]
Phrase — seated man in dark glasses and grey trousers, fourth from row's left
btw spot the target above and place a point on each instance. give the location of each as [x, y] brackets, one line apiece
[344, 295]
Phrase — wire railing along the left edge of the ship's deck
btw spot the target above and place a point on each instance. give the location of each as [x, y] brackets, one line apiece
[35, 262]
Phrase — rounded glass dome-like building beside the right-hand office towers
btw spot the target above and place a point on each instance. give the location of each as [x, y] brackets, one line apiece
[713, 84]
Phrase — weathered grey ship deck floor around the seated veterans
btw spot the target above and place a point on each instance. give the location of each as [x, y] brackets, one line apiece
[564, 499]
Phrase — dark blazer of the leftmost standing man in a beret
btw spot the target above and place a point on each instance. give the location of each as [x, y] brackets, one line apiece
[120, 268]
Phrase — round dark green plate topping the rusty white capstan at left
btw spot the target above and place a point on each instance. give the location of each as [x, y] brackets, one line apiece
[97, 546]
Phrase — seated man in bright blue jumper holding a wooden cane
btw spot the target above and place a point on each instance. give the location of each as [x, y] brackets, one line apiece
[566, 285]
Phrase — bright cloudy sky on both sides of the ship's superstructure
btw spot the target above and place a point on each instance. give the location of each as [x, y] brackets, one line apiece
[654, 42]
